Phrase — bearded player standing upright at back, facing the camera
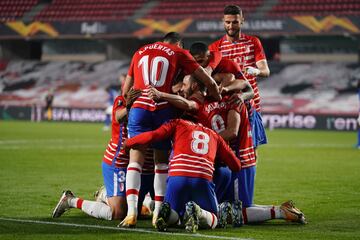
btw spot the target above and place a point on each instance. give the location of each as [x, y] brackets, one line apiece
[248, 53]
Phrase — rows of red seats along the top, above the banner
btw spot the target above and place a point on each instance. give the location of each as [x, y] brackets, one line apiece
[117, 10]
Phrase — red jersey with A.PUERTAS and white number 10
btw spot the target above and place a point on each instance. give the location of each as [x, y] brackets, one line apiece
[158, 64]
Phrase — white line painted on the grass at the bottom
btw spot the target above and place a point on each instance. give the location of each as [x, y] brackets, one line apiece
[120, 229]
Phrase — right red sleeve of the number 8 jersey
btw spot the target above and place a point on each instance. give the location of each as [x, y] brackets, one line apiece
[226, 155]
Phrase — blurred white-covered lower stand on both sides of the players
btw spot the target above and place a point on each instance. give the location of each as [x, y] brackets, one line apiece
[302, 88]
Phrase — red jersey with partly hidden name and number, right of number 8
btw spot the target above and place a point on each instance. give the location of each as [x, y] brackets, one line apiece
[215, 116]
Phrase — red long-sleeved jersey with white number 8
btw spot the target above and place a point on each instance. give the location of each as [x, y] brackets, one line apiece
[194, 148]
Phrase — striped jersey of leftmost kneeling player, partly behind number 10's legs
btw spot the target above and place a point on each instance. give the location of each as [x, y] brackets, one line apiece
[114, 152]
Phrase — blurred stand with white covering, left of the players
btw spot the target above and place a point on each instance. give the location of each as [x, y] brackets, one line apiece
[76, 84]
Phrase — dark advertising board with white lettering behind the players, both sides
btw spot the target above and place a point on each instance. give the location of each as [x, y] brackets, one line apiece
[271, 121]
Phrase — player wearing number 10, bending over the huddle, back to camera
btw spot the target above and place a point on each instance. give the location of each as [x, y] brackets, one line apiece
[156, 65]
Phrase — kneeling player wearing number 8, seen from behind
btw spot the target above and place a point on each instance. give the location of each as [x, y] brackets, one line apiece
[191, 167]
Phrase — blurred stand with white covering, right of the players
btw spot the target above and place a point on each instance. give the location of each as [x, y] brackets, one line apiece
[311, 88]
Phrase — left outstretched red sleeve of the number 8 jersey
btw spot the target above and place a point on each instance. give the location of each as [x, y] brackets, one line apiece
[163, 132]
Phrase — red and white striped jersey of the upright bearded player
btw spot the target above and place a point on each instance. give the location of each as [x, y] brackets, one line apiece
[245, 52]
